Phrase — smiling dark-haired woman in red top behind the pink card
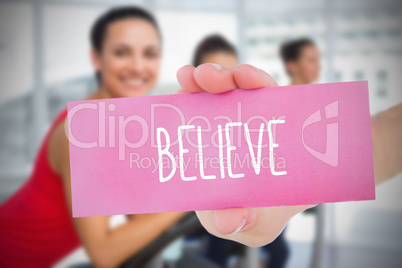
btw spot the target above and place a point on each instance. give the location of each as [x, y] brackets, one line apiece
[36, 228]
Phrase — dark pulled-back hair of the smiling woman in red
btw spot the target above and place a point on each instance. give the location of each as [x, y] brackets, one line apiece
[99, 28]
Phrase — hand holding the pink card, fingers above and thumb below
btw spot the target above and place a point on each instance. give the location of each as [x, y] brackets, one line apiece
[252, 226]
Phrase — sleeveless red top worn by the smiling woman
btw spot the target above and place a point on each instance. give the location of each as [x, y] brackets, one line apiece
[36, 228]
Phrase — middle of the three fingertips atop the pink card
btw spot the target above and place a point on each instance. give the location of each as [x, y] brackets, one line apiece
[214, 78]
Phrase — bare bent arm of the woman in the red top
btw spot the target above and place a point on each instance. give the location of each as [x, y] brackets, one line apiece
[106, 247]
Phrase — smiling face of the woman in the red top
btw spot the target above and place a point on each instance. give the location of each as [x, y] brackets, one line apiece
[130, 58]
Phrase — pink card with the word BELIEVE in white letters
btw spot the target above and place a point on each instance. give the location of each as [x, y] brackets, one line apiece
[275, 146]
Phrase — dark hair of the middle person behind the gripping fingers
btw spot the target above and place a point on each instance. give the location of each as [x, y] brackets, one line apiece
[211, 44]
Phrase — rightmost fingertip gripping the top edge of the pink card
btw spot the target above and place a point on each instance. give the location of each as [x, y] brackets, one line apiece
[248, 77]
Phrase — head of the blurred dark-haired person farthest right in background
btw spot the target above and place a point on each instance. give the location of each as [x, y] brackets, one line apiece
[301, 58]
